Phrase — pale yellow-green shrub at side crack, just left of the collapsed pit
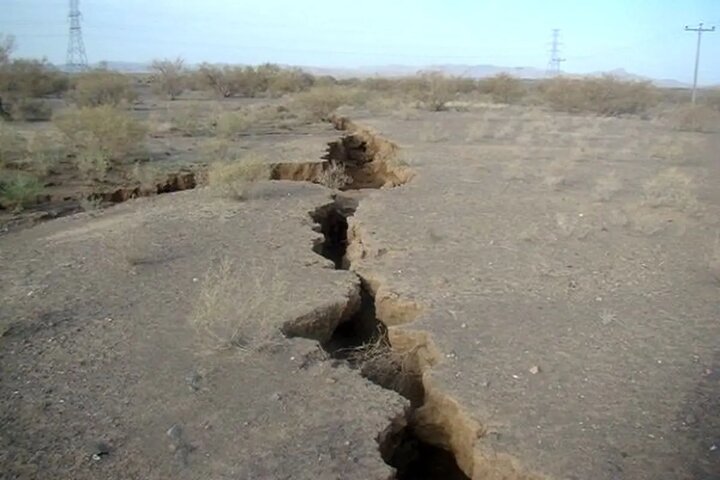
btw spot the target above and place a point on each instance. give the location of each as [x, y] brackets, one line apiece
[234, 177]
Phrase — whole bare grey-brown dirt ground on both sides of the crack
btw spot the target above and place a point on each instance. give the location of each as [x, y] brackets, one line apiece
[548, 281]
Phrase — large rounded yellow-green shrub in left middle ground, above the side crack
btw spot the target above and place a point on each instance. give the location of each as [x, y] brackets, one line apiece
[104, 130]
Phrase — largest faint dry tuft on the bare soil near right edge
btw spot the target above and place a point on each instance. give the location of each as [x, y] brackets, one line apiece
[670, 188]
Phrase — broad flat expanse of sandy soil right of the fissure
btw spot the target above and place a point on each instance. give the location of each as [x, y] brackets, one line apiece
[561, 275]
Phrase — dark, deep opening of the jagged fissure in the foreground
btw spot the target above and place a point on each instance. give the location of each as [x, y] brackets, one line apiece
[362, 342]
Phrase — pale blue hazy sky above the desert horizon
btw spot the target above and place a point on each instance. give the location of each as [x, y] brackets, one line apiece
[642, 36]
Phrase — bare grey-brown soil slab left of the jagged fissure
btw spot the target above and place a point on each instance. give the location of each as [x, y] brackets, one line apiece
[114, 354]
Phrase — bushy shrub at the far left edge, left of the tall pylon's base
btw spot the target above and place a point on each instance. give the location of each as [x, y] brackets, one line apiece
[31, 78]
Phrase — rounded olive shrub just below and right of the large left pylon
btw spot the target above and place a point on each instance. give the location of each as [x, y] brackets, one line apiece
[102, 87]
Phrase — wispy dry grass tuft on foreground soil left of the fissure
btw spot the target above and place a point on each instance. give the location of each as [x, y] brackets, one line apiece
[229, 313]
